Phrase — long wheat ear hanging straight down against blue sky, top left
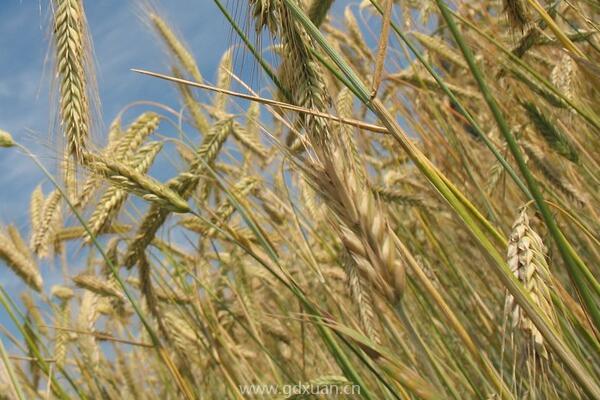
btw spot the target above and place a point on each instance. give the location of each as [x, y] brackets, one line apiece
[72, 66]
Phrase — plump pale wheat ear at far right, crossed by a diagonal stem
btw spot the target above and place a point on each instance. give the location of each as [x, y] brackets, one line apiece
[526, 258]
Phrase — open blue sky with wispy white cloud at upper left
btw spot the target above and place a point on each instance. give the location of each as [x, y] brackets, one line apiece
[121, 40]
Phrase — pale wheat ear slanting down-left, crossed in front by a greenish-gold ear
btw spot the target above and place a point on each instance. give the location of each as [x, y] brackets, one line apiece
[113, 199]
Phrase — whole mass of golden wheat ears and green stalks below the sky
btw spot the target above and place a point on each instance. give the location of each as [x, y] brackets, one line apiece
[406, 203]
